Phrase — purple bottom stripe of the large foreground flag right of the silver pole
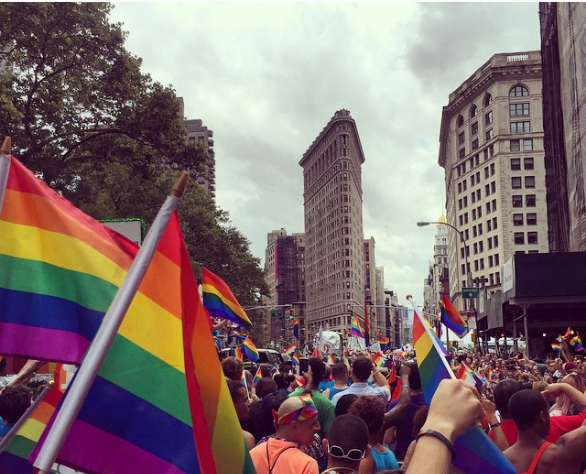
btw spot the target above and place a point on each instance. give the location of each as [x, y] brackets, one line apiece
[124, 456]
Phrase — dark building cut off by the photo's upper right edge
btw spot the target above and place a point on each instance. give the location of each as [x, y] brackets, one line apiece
[563, 50]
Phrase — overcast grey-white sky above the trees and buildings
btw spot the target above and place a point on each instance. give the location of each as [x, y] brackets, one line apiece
[267, 77]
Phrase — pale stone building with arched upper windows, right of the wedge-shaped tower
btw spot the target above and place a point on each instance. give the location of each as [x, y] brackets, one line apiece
[491, 148]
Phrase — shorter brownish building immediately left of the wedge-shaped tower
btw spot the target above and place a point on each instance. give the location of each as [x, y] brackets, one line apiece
[285, 277]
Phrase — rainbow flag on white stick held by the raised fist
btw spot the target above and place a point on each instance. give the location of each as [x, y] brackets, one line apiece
[475, 451]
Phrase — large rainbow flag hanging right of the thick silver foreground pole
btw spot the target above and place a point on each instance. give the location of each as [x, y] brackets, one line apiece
[161, 375]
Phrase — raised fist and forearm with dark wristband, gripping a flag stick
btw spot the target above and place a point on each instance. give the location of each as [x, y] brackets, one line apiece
[454, 409]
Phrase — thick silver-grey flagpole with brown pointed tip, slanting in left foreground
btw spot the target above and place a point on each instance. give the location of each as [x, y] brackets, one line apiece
[96, 354]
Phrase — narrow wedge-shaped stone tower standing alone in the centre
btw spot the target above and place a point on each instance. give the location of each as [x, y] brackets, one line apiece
[334, 256]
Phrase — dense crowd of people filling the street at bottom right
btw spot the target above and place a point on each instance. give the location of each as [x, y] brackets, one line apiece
[356, 417]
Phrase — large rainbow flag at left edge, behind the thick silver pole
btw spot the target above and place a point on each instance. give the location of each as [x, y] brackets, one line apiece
[52, 301]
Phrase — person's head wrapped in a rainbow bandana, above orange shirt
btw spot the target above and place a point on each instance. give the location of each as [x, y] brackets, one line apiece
[297, 420]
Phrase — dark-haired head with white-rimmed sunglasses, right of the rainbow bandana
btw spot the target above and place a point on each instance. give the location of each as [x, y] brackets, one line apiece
[347, 442]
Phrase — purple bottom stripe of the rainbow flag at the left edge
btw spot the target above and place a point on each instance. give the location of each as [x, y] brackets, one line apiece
[64, 346]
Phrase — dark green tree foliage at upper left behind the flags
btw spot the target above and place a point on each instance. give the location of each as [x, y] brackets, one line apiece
[84, 117]
